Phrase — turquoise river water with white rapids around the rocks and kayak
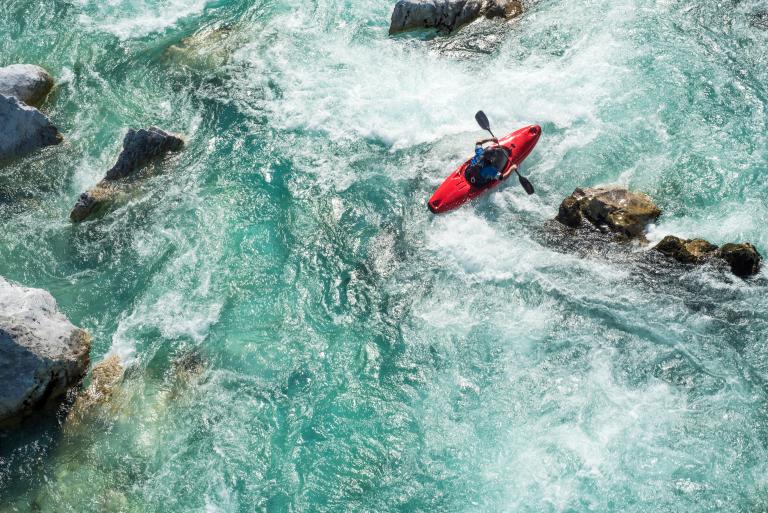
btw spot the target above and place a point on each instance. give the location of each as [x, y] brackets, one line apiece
[301, 334]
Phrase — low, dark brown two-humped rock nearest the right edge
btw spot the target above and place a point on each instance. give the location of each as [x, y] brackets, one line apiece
[743, 258]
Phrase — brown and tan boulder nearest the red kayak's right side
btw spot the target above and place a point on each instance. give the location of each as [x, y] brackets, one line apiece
[613, 209]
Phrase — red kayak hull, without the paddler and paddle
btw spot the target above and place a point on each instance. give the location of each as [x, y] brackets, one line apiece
[456, 190]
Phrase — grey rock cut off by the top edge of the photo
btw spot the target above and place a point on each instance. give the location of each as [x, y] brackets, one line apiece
[448, 15]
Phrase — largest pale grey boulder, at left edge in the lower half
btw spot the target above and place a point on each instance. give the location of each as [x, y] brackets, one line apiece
[42, 354]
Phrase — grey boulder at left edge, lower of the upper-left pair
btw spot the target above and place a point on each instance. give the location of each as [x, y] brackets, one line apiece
[23, 129]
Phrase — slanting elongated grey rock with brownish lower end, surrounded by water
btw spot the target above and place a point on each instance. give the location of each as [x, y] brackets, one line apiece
[139, 148]
